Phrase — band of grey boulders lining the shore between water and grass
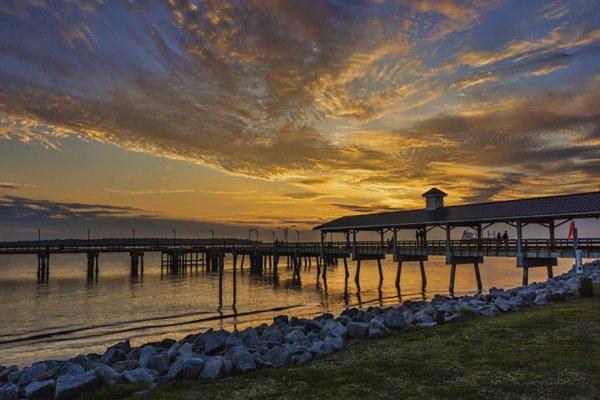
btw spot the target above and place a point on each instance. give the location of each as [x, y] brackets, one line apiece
[218, 353]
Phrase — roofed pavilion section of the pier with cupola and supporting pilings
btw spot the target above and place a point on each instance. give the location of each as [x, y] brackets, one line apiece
[548, 212]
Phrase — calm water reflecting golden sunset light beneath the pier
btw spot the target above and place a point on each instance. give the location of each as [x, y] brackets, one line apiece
[68, 315]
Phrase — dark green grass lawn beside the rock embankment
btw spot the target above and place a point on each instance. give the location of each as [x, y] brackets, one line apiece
[549, 353]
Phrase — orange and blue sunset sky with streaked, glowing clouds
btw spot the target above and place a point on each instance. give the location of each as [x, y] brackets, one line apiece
[200, 115]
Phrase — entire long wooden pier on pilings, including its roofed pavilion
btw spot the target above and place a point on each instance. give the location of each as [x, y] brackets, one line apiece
[550, 212]
